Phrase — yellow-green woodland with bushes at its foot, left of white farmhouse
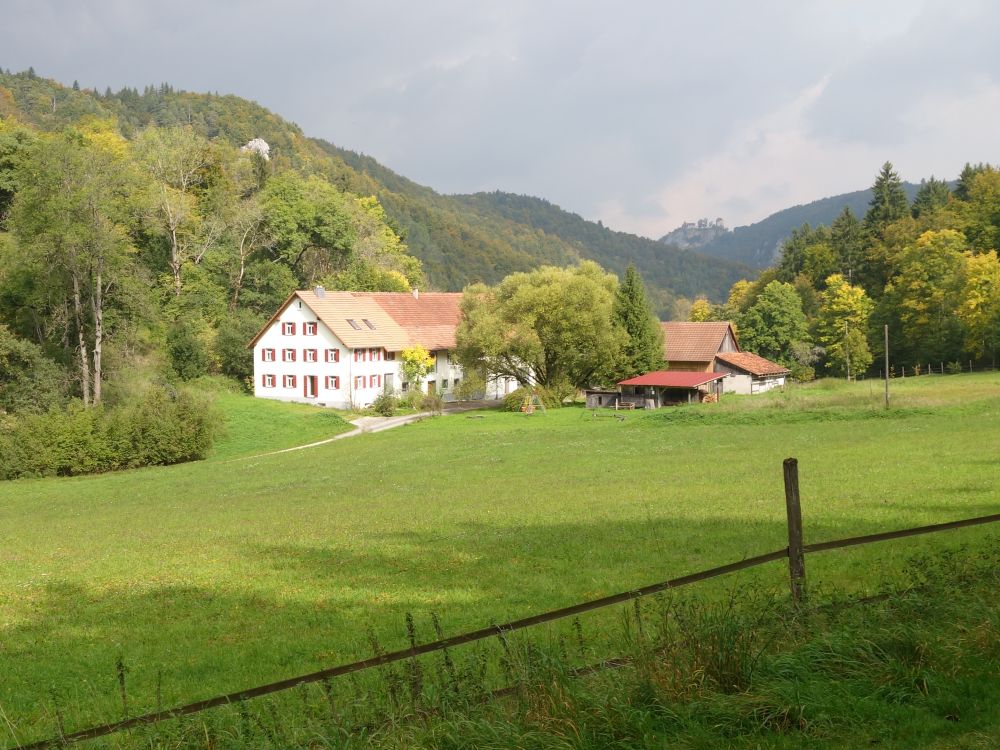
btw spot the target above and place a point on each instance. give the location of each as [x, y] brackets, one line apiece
[137, 257]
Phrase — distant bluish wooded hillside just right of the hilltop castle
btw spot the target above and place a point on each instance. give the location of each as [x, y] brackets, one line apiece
[758, 245]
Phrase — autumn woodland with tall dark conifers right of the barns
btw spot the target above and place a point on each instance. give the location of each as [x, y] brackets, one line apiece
[926, 269]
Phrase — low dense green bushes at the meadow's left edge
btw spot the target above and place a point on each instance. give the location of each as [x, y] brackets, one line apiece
[161, 427]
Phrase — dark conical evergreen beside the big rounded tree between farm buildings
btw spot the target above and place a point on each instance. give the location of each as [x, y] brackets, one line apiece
[643, 349]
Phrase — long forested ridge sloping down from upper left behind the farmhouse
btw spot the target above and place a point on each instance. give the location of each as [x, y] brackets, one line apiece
[457, 239]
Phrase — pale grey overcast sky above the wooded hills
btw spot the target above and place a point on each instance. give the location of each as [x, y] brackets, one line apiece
[642, 114]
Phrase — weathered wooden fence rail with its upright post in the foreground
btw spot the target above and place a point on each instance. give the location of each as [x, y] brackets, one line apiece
[794, 552]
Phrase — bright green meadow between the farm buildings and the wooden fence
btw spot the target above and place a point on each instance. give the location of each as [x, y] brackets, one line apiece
[215, 576]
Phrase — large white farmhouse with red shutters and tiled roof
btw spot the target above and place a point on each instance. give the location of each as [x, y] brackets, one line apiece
[342, 349]
